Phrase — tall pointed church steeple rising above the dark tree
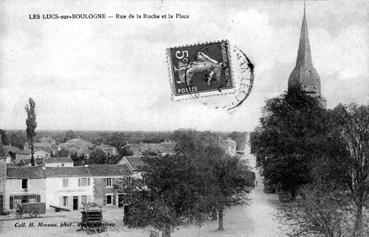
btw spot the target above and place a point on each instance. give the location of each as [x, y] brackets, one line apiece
[304, 76]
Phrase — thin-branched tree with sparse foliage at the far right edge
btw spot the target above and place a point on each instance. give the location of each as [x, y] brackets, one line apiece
[353, 126]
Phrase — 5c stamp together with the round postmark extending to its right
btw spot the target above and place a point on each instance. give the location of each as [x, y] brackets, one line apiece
[216, 74]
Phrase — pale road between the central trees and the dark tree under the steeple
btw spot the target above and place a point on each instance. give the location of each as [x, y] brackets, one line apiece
[257, 219]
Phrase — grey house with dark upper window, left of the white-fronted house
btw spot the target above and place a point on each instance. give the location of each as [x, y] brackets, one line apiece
[24, 185]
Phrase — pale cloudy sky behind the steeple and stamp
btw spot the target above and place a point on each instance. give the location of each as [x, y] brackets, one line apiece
[112, 74]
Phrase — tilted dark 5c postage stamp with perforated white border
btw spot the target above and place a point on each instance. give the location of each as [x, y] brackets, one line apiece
[200, 70]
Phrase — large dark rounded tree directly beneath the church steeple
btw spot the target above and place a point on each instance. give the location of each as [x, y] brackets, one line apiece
[290, 136]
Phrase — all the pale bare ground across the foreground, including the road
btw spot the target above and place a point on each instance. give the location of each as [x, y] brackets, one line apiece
[257, 219]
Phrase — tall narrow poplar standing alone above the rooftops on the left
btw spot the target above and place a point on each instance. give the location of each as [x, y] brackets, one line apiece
[31, 126]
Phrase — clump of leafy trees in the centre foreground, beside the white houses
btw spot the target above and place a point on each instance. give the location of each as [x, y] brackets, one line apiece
[197, 183]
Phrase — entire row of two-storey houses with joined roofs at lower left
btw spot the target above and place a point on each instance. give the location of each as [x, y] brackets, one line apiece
[67, 187]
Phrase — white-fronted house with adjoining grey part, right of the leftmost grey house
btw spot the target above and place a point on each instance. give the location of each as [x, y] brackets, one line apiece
[71, 187]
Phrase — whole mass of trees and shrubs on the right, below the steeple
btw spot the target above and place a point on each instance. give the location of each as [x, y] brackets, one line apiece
[321, 154]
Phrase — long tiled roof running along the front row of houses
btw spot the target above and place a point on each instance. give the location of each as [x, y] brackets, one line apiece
[76, 171]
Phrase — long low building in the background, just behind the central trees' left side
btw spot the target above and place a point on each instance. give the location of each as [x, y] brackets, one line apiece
[163, 148]
